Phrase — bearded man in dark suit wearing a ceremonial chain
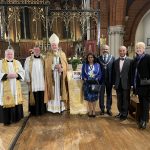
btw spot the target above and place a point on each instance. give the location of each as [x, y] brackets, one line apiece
[106, 61]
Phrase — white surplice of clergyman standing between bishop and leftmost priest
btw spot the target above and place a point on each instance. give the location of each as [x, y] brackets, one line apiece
[37, 74]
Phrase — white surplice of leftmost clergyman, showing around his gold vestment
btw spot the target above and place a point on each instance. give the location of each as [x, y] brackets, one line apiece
[12, 81]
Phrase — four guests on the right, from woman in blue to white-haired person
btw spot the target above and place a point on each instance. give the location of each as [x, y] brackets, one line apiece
[123, 74]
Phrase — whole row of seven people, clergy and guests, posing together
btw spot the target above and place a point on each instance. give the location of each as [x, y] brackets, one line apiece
[46, 78]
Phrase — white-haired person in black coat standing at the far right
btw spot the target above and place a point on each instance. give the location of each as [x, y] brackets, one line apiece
[141, 73]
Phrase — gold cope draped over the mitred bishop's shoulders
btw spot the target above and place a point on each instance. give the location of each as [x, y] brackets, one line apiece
[49, 81]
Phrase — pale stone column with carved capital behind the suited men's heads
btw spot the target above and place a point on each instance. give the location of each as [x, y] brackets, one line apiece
[115, 39]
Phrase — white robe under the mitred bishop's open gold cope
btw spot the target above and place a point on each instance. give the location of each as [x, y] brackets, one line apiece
[56, 105]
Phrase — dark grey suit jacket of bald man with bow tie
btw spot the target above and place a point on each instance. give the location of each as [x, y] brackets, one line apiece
[125, 75]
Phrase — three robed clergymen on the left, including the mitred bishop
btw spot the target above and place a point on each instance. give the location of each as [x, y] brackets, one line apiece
[46, 79]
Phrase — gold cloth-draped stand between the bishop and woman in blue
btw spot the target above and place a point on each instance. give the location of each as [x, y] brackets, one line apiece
[76, 98]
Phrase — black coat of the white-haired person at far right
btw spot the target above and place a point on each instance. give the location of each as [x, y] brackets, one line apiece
[143, 73]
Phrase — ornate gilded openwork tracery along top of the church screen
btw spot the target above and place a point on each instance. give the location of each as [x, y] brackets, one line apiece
[46, 14]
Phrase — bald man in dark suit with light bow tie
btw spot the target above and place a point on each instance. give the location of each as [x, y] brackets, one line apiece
[122, 81]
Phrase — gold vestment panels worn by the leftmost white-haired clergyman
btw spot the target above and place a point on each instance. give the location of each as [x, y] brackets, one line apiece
[8, 98]
